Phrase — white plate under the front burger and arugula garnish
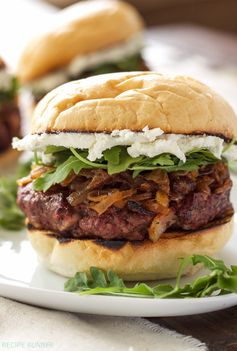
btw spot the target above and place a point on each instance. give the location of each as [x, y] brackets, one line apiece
[23, 279]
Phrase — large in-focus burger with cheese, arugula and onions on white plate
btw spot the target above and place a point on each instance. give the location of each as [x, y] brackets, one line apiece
[130, 174]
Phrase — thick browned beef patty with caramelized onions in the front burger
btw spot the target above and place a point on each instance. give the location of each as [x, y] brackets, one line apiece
[194, 200]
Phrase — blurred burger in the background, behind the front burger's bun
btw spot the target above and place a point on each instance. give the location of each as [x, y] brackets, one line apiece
[88, 38]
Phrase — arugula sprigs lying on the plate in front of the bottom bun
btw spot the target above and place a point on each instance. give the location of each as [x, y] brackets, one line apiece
[220, 280]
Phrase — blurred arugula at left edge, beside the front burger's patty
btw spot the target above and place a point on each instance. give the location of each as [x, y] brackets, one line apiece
[11, 217]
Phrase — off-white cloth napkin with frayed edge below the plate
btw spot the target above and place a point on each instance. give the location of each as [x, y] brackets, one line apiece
[23, 327]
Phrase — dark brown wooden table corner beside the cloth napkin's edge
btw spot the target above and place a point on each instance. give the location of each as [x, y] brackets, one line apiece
[217, 329]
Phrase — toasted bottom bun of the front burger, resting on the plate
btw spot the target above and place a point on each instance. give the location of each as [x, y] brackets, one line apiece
[130, 260]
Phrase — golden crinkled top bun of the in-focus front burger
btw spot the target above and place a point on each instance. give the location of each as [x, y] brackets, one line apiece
[134, 100]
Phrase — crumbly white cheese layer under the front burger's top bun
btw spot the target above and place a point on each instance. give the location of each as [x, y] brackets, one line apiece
[149, 142]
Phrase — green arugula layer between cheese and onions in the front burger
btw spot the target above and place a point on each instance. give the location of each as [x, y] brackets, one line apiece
[116, 160]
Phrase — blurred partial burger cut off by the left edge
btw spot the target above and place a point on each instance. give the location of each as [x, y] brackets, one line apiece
[9, 115]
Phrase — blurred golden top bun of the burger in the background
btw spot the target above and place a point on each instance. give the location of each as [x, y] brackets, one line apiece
[79, 29]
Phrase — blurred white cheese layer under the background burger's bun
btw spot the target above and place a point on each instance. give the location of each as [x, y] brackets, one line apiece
[85, 62]
